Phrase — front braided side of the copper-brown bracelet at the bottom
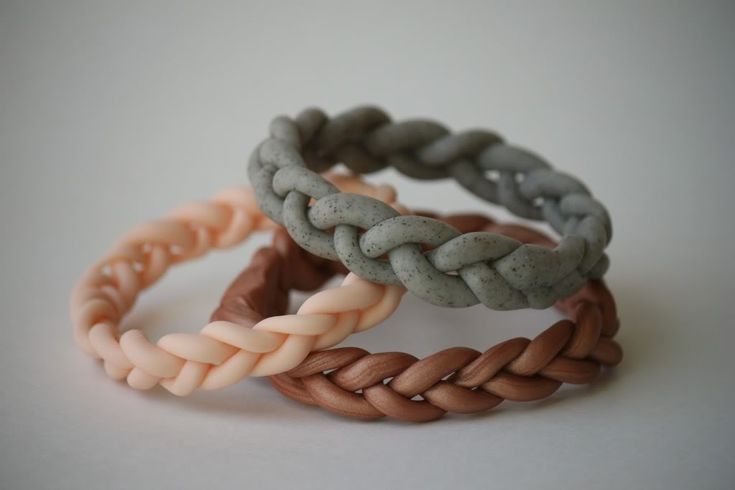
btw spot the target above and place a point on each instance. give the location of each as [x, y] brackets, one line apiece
[354, 383]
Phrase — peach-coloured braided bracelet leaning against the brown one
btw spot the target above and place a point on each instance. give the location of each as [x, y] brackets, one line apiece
[223, 352]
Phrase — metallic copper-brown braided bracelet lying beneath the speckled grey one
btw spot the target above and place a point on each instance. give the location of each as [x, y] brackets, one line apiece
[570, 351]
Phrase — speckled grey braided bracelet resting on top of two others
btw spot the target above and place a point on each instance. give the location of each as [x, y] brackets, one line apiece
[462, 269]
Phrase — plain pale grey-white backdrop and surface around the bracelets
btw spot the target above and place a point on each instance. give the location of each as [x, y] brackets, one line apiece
[113, 113]
